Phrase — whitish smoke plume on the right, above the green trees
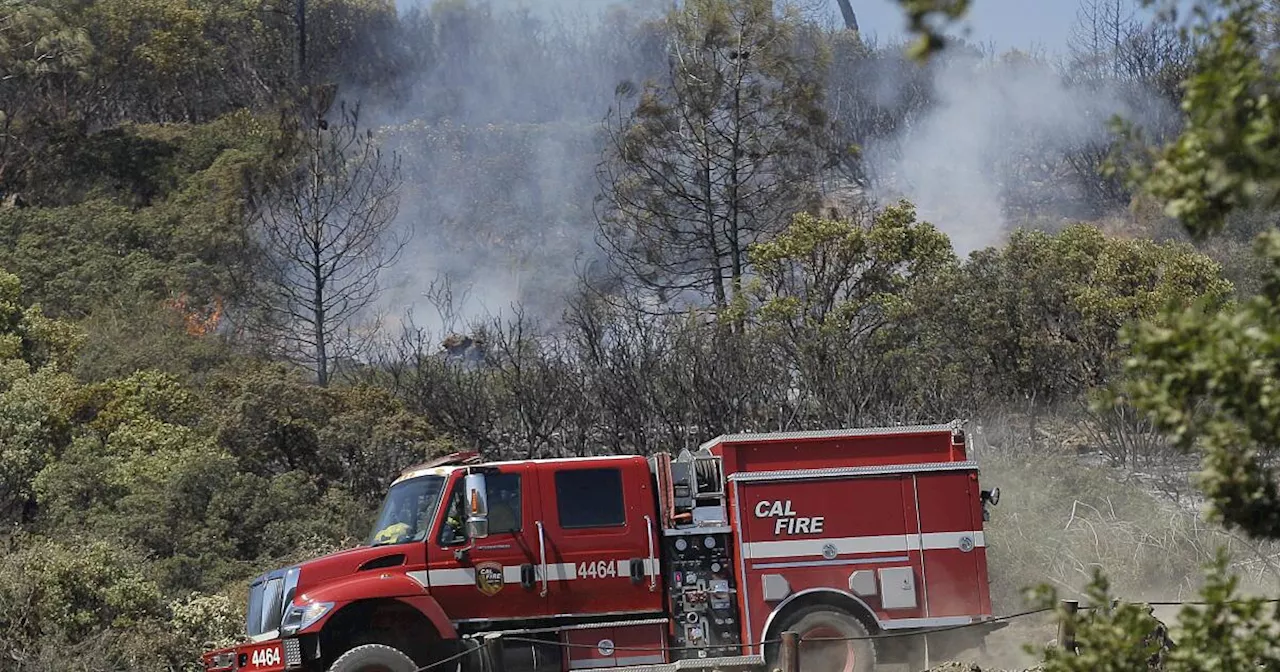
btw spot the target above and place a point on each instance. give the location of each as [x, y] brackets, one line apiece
[995, 149]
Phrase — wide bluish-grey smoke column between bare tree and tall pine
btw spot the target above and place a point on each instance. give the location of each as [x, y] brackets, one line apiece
[499, 134]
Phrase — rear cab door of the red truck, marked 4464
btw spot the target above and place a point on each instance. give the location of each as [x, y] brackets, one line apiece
[601, 534]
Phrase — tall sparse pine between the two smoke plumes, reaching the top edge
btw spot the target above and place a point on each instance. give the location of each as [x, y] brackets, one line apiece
[717, 156]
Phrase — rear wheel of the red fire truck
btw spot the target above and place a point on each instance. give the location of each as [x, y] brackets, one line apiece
[829, 624]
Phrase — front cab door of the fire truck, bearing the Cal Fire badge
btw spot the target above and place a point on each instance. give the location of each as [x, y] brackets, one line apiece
[491, 578]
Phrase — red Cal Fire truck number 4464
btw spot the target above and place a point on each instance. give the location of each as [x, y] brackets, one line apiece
[865, 542]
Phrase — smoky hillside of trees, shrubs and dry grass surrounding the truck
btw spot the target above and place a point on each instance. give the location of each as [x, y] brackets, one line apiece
[244, 282]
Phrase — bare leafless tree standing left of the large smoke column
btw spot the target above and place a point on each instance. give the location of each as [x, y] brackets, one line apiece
[326, 234]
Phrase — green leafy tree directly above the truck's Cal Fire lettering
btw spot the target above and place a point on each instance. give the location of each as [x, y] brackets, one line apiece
[831, 295]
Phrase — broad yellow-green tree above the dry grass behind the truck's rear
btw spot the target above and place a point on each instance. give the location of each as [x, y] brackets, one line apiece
[1044, 312]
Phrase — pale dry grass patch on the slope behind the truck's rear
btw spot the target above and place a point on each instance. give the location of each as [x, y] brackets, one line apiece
[1060, 519]
